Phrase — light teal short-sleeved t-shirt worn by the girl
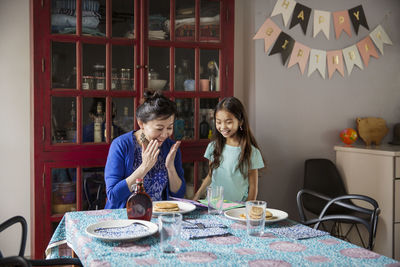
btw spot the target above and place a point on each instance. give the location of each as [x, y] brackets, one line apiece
[236, 187]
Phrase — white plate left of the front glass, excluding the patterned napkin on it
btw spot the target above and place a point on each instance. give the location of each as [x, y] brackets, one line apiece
[90, 230]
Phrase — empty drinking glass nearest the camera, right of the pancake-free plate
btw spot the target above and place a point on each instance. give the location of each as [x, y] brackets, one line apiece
[170, 231]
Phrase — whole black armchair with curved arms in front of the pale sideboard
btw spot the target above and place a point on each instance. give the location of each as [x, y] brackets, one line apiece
[325, 196]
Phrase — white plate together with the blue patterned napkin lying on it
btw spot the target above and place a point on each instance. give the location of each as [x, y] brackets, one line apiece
[121, 230]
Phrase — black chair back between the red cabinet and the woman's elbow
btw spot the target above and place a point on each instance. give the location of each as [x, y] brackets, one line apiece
[94, 190]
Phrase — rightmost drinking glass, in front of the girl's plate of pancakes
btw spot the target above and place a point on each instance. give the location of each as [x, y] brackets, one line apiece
[255, 217]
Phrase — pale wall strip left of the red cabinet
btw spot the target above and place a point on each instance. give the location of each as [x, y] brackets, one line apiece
[15, 118]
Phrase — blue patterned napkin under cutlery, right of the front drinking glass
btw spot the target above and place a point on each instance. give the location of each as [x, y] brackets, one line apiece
[209, 228]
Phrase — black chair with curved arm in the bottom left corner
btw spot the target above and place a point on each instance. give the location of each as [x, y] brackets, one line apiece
[20, 260]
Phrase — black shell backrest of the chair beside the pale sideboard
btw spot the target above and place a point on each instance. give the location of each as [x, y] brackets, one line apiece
[322, 176]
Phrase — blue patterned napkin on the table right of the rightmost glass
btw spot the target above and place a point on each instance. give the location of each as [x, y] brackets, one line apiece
[297, 231]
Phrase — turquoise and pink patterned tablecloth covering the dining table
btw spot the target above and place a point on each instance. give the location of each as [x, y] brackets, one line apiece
[234, 248]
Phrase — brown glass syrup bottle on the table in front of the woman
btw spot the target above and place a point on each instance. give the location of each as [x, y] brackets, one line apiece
[139, 205]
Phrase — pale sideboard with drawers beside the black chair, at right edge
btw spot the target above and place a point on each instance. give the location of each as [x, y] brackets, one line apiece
[375, 172]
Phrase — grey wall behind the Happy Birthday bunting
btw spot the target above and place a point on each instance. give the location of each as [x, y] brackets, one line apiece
[296, 117]
